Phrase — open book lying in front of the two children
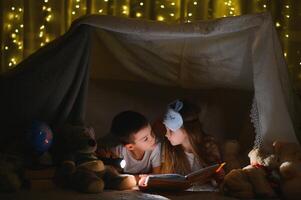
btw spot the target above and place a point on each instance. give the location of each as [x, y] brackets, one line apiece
[179, 182]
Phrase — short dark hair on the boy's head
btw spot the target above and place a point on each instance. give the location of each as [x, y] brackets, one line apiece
[127, 123]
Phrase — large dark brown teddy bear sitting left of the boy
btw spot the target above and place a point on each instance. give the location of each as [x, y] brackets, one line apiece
[79, 167]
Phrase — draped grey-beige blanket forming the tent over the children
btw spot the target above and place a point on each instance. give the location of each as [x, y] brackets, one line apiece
[240, 53]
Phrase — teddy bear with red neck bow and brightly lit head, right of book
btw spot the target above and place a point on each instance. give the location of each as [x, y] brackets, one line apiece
[255, 179]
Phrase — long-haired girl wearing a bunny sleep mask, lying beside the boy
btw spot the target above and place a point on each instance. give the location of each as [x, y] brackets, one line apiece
[188, 148]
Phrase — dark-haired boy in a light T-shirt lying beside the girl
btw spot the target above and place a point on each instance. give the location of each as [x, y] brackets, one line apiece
[137, 143]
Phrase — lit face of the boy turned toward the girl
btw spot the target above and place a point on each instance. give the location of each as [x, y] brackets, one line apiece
[144, 139]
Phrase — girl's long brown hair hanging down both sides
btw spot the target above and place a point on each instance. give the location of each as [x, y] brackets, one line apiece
[175, 159]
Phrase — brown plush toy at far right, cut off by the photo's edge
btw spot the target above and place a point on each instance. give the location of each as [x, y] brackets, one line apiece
[289, 155]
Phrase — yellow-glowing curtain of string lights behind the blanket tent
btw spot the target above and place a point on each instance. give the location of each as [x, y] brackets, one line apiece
[50, 19]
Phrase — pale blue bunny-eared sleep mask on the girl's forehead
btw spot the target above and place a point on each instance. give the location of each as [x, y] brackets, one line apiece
[173, 119]
